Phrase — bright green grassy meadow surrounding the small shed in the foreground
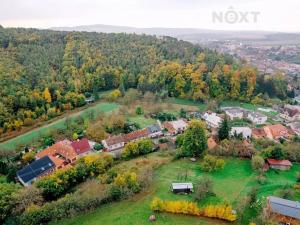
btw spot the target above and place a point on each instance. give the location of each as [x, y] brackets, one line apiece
[231, 185]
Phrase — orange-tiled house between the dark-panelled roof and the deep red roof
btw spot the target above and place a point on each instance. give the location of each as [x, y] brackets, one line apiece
[62, 149]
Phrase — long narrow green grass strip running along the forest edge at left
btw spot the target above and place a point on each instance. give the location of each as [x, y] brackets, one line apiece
[36, 133]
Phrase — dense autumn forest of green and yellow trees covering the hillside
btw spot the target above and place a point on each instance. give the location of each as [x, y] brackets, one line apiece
[43, 73]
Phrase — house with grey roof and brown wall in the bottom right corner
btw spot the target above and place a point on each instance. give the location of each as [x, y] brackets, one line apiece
[283, 211]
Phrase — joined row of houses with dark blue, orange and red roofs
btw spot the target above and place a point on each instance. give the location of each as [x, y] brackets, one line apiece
[60, 155]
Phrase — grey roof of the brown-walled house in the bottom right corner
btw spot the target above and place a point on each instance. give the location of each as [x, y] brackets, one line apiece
[285, 207]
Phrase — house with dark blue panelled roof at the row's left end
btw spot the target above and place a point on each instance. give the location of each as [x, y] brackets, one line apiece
[35, 170]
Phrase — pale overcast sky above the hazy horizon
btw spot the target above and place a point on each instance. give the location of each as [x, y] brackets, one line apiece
[272, 15]
